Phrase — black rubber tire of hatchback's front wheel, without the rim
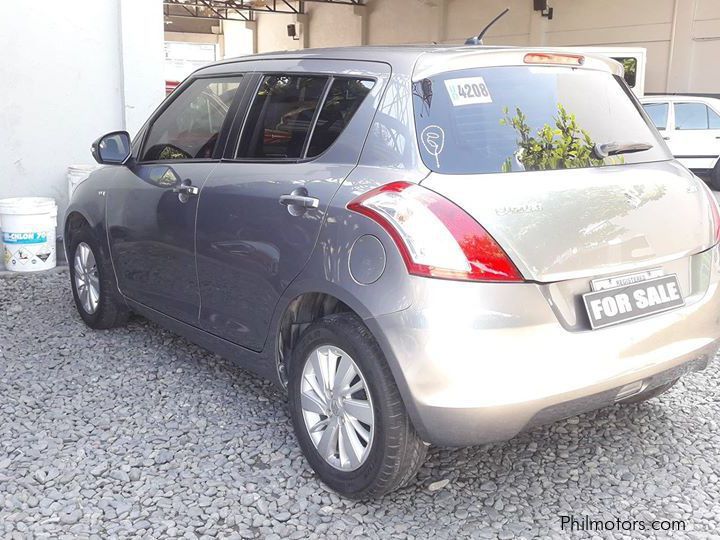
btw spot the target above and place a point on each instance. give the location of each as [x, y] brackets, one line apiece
[112, 311]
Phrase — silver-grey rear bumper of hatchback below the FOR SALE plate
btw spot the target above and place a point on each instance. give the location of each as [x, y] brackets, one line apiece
[480, 362]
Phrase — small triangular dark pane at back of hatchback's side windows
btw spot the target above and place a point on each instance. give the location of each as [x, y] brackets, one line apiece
[341, 103]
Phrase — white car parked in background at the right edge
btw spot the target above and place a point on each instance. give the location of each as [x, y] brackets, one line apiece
[691, 127]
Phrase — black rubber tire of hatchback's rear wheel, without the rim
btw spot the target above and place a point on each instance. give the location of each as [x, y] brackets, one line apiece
[396, 451]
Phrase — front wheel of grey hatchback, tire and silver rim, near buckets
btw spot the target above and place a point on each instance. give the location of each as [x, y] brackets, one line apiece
[97, 299]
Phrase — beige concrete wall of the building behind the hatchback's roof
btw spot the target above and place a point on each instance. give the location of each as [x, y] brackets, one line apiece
[682, 36]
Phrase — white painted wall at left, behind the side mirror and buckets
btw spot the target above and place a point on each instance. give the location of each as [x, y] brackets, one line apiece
[71, 71]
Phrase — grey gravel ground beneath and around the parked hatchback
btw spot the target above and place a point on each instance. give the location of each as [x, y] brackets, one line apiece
[137, 433]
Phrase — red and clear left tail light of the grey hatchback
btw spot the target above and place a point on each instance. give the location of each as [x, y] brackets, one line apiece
[435, 237]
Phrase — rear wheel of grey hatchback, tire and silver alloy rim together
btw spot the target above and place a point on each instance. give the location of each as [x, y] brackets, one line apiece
[347, 412]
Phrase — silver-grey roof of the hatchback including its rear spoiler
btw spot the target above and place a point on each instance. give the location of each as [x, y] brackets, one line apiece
[427, 58]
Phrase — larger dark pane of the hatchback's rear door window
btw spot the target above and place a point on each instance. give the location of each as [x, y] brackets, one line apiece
[281, 116]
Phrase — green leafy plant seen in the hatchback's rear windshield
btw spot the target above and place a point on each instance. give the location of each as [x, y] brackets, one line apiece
[562, 146]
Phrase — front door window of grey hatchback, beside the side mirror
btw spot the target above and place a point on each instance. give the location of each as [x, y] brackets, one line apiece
[190, 126]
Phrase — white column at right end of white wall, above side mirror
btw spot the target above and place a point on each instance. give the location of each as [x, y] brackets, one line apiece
[142, 56]
